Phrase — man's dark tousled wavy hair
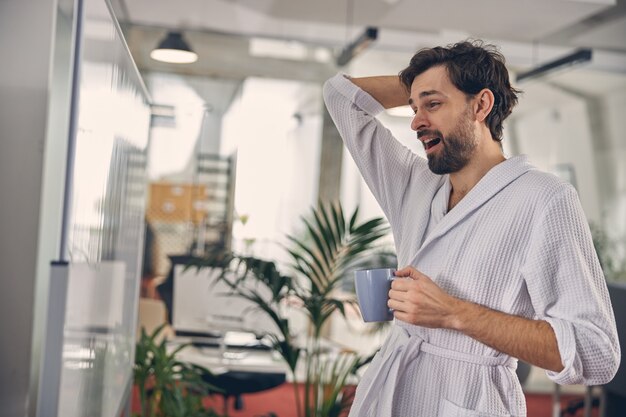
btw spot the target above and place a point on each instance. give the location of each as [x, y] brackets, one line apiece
[471, 66]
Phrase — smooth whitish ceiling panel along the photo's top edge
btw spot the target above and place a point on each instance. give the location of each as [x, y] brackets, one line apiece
[527, 20]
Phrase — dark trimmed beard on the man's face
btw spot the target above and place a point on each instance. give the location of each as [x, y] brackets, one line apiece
[457, 147]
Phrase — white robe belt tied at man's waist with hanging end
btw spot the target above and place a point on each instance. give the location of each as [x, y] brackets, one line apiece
[399, 351]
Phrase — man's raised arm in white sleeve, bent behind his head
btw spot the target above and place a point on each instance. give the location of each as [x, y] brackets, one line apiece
[390, 169]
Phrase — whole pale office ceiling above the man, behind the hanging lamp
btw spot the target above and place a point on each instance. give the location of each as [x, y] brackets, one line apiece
[529, 32]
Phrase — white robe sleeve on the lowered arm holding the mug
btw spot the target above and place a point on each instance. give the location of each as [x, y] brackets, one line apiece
[568, 290]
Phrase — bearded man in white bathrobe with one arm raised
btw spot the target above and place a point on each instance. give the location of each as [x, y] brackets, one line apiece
[496, 256]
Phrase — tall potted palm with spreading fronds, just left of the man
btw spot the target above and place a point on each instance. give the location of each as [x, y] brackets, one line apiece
[332, 247]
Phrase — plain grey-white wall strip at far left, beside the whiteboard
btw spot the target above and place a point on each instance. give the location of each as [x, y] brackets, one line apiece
[26, 37]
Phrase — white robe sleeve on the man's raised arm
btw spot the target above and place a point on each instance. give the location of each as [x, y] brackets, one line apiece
[386, 165]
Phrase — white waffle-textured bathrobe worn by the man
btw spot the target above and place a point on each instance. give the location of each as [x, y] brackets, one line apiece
[518, 242]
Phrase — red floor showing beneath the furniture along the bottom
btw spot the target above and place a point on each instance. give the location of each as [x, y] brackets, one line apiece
[281, 402]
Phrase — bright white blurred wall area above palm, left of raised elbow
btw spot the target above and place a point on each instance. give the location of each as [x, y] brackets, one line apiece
[275, 128]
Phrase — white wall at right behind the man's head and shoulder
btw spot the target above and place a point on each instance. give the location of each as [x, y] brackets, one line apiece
[578, 119]
